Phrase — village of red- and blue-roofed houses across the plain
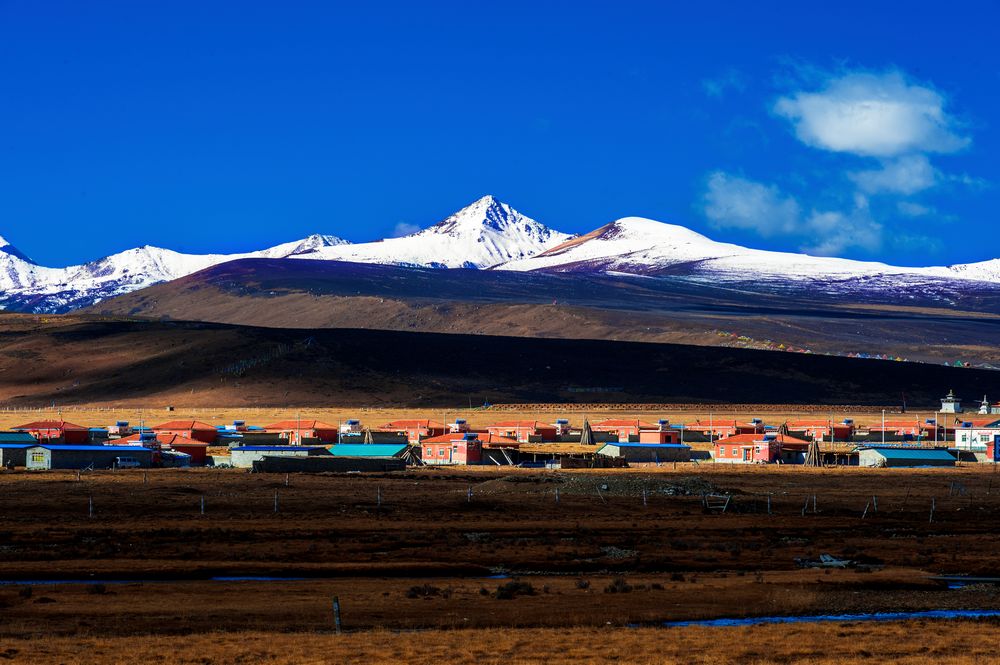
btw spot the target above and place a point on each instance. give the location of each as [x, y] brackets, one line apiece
[951, 436]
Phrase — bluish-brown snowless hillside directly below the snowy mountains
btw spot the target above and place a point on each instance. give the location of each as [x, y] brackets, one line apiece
[936, 327]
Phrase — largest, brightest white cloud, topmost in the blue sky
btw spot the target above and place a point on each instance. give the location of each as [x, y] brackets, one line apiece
[875, 115]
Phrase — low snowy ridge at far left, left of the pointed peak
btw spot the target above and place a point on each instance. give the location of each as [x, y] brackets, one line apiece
[27, 286]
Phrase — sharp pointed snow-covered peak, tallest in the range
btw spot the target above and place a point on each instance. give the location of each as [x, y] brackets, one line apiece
[483, 234]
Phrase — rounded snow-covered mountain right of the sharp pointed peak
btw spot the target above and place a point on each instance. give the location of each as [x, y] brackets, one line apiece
[646, 247]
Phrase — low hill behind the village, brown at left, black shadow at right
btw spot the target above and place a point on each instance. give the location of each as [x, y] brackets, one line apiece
[77, 361]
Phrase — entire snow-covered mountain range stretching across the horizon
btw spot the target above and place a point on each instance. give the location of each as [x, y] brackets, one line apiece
[487, 234]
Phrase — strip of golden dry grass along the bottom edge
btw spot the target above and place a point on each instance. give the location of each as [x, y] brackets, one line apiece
[911, 643]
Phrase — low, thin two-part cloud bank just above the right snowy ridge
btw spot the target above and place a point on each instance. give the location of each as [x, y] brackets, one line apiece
[734, 202]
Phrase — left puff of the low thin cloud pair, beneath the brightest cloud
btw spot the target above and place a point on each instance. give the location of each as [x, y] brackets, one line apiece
[734, 202]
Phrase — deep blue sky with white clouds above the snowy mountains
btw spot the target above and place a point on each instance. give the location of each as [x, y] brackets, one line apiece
[859, 129]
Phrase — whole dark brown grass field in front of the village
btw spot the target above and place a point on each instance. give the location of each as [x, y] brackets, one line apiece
[417, 575]
